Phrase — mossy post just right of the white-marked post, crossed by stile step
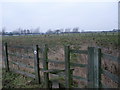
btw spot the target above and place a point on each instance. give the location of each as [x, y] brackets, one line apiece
[45, 66]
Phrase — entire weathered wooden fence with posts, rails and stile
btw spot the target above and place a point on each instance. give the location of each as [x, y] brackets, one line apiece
[94, 65]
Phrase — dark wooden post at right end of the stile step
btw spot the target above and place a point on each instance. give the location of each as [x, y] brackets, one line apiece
[67, 67]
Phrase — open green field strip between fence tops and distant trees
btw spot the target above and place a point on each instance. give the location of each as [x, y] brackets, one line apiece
[110, 41]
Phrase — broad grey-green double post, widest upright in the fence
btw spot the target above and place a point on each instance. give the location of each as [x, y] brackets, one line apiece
[94, 67]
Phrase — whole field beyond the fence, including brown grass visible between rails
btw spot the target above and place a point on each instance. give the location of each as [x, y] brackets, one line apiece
[108, 43]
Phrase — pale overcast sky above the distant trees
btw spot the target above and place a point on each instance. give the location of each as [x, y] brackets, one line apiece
[54, 15]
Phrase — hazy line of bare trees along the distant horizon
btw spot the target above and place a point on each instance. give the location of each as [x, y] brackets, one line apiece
[36, 31]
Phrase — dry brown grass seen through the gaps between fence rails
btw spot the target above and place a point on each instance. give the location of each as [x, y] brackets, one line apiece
[57, 53]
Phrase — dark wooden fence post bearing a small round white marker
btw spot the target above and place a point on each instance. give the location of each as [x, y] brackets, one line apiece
[36, 64]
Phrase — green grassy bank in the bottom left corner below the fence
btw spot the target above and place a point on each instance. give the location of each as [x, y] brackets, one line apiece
[13, 80]
